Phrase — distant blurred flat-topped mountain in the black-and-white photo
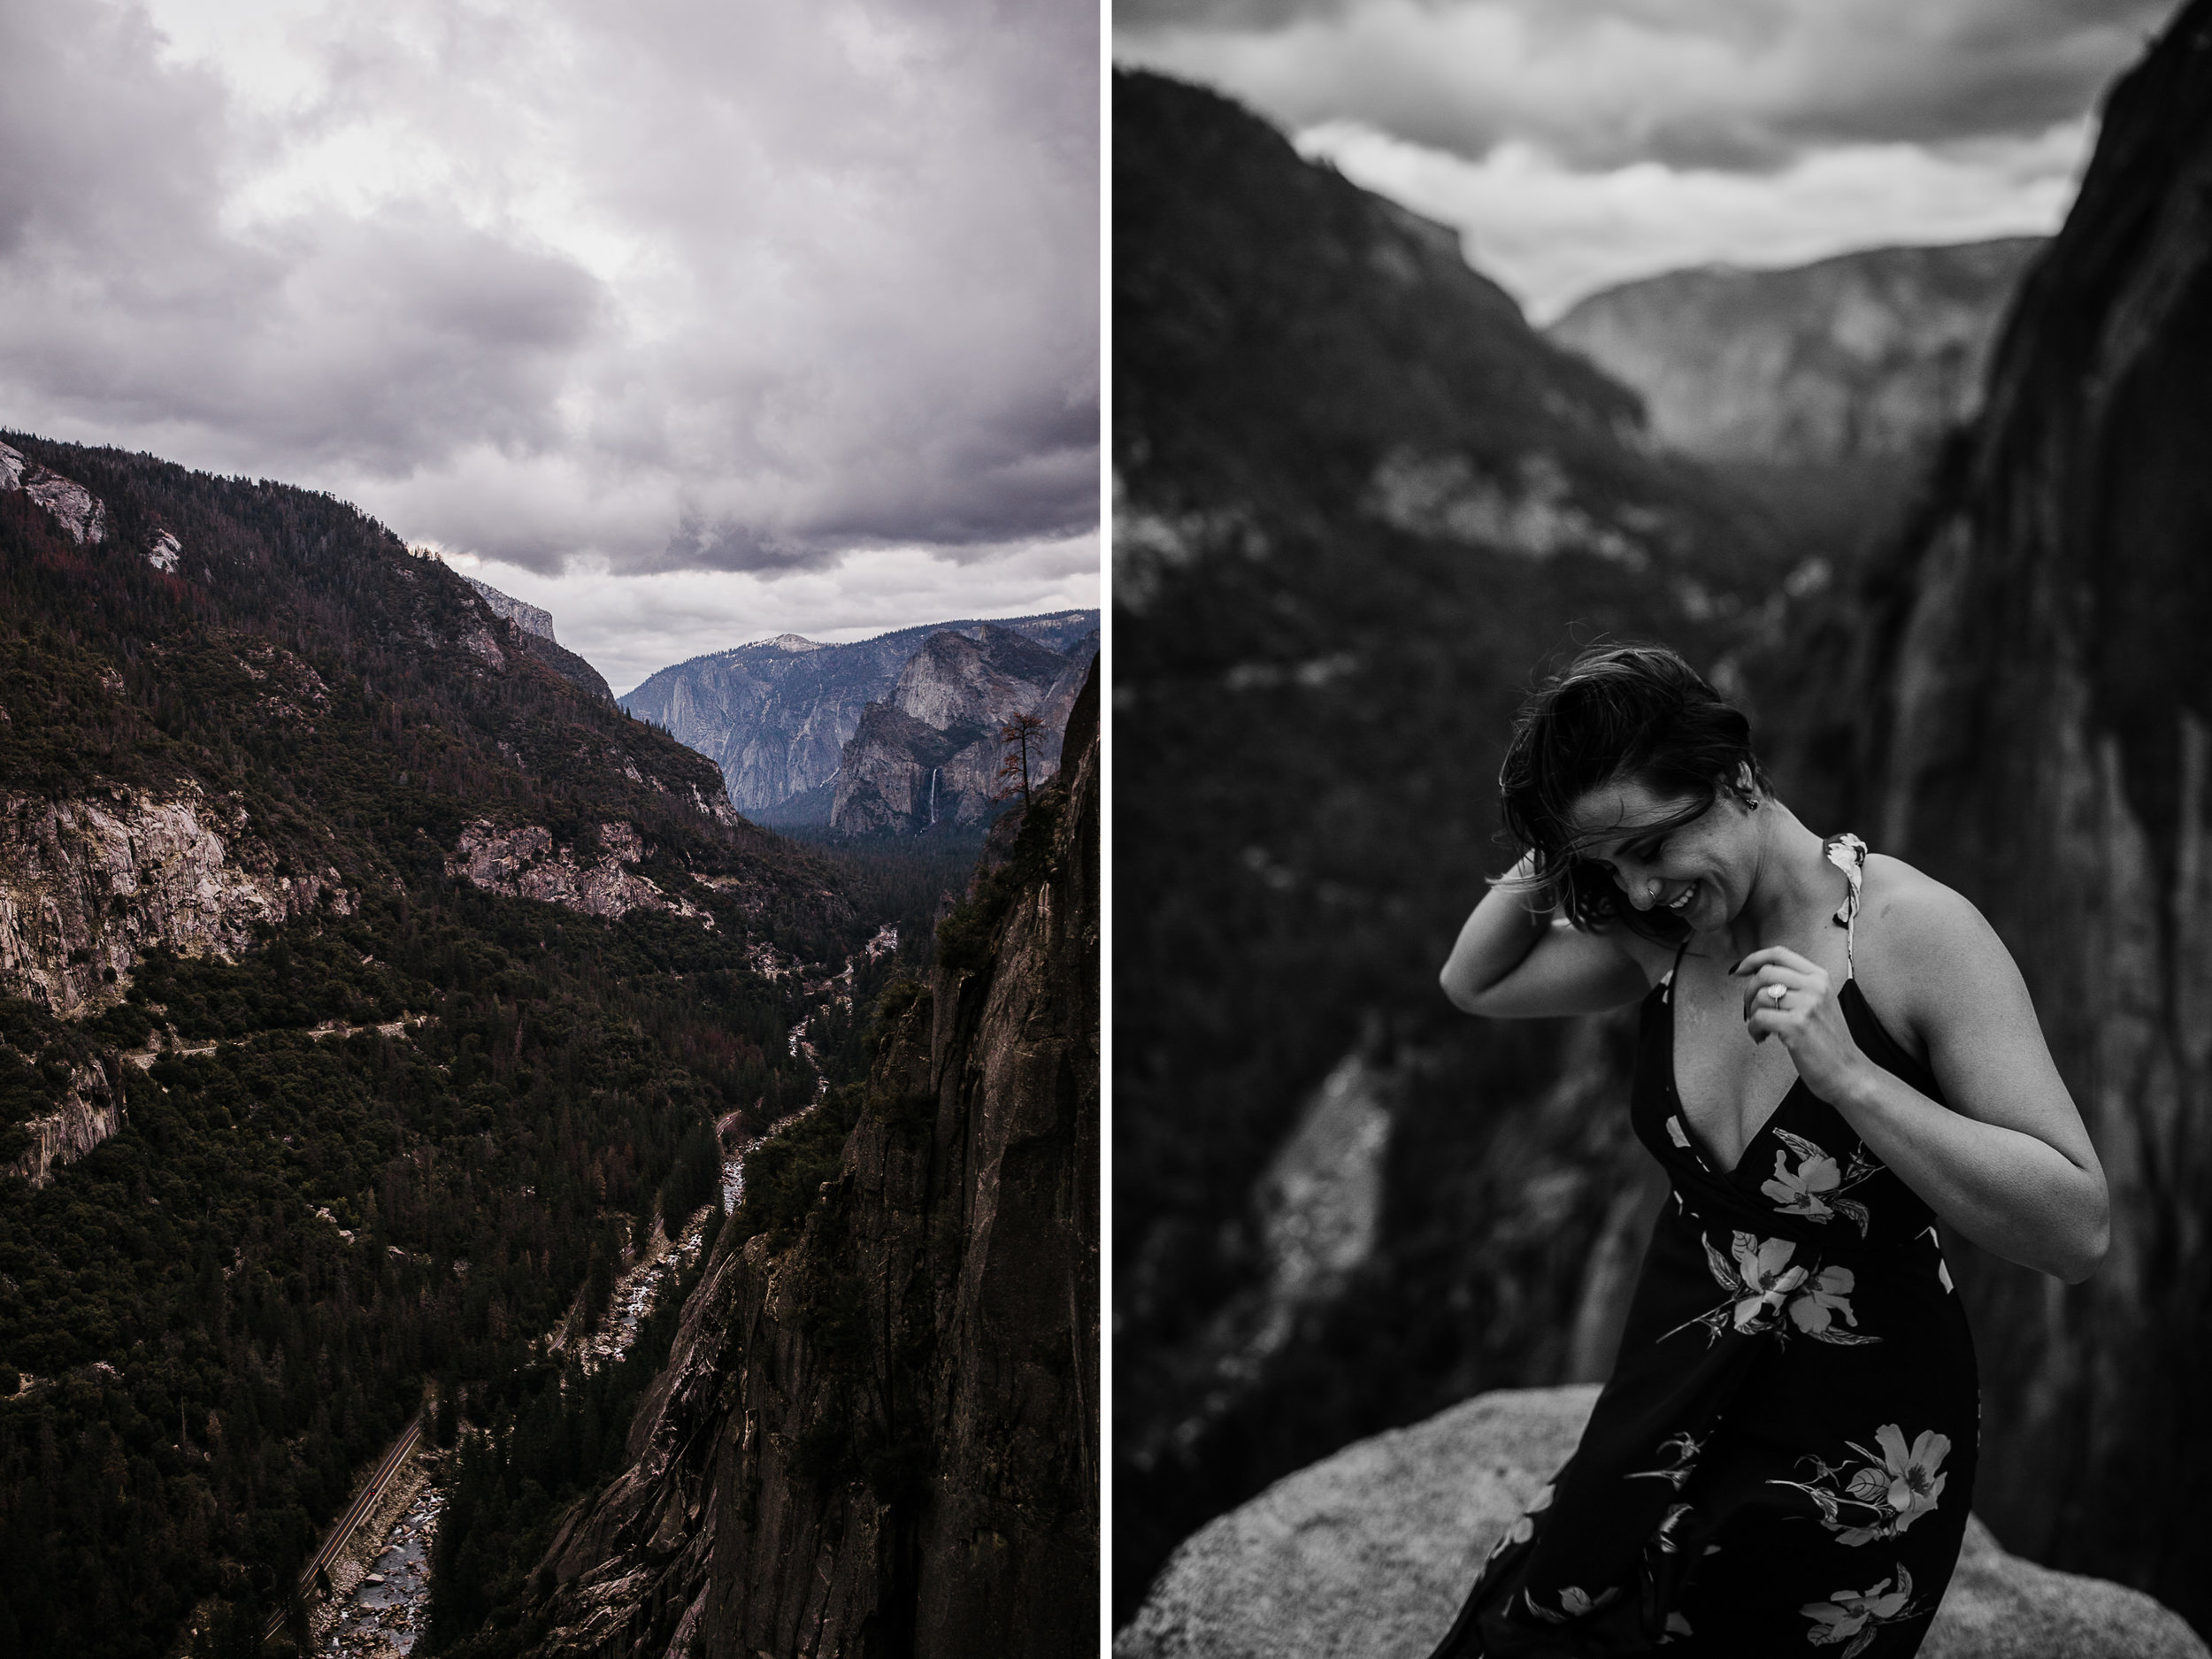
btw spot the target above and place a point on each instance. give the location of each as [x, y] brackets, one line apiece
[1864, 355]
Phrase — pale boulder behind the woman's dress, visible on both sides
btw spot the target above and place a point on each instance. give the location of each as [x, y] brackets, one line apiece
[1368, 1556]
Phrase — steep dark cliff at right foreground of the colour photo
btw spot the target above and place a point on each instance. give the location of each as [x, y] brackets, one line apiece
[881, 1437]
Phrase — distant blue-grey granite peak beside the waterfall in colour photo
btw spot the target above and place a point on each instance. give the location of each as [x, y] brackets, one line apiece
[932, 753]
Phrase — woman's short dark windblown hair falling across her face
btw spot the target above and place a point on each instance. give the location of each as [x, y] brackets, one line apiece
[1618, 713]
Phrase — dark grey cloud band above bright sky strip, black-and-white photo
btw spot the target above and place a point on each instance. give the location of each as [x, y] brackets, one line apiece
[1687, 83]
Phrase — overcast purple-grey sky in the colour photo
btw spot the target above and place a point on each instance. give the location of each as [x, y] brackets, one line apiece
[691, 322]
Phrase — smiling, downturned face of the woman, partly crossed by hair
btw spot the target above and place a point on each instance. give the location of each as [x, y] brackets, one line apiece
[1700, 870]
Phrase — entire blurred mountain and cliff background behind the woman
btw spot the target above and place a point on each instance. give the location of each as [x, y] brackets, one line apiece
[1926, 517]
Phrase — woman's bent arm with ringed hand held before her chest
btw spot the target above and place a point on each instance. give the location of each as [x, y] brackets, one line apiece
[2012, 1165]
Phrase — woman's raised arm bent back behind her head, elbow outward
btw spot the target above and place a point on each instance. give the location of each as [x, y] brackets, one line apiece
[1516, 961]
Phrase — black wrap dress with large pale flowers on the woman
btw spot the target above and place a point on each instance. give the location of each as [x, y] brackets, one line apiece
[1786, 1450]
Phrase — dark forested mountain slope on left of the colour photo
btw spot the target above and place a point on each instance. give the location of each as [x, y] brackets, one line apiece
[366, 988]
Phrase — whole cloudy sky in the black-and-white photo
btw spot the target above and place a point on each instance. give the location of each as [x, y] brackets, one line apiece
[1587, 143]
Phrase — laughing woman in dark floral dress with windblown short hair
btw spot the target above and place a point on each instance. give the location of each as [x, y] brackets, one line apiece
[1835, 1054]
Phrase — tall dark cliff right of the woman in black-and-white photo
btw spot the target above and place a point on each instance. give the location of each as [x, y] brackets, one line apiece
[2034, 731]
